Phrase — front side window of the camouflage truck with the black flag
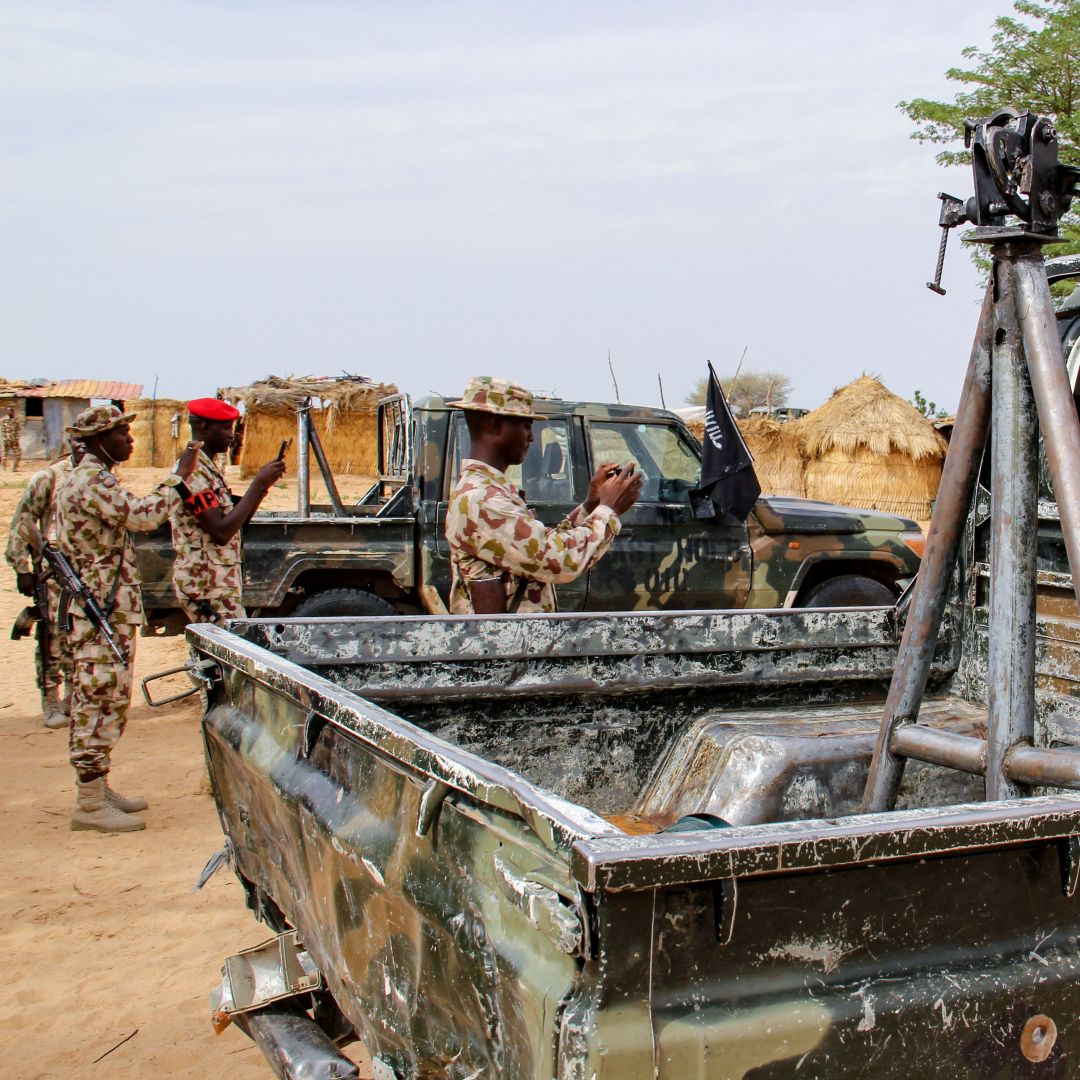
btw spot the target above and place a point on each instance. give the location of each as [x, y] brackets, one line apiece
[670, 466]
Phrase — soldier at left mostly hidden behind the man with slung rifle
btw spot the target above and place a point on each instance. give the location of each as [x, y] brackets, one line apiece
[37, 507]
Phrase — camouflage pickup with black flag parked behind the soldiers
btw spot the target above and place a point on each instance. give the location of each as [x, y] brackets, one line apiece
[389, 555]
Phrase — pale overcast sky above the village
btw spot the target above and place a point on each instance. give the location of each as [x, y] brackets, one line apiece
[212, 193]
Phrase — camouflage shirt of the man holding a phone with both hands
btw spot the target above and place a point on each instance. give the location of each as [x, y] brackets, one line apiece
[491, 532]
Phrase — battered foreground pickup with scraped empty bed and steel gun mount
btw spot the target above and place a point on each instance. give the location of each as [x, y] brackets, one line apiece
[694, 845]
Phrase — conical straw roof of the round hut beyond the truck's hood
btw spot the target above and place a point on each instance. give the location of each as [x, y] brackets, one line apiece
[865, 415]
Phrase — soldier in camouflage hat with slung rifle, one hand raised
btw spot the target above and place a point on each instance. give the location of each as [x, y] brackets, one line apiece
[93, 518]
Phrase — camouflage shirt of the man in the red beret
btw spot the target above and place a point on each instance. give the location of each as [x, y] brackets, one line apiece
[204, 570]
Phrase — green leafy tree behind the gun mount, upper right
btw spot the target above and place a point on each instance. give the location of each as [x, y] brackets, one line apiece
[1030, 65]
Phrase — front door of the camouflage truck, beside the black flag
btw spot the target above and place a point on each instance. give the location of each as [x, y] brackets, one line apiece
[665, 558]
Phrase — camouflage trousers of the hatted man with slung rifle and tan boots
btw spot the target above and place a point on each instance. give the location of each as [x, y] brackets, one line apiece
[102, 697]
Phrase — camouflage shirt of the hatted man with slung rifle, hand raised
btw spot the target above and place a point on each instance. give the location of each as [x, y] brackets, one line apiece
[93, 518]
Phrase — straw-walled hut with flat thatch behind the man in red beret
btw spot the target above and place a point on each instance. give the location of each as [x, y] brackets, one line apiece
[344, 414]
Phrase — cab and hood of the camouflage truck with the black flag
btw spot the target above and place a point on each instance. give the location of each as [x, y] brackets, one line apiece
[666, 558]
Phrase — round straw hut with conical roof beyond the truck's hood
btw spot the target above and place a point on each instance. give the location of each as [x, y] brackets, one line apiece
[867, 448]
